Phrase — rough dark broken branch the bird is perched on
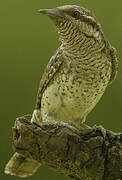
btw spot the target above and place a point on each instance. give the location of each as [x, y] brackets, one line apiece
[87, 154]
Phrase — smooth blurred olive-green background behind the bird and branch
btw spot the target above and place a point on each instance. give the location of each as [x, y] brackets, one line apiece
[27, 41]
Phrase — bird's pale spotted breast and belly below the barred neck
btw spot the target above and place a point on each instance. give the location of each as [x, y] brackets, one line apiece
[74, 91]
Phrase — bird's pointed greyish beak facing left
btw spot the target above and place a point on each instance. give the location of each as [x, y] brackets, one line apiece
[51, 12]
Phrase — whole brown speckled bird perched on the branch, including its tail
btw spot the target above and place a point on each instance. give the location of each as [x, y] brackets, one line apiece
[75, 77]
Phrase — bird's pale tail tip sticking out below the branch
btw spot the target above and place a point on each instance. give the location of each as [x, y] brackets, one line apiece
[21, 166]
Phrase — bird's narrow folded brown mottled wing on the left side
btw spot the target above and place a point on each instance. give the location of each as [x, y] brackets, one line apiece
[52, 67]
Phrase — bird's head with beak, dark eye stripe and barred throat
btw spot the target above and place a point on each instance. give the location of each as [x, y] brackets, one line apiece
[72, 21]
